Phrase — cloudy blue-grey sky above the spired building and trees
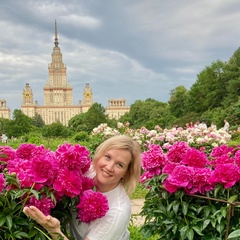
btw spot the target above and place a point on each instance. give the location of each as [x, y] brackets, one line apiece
[130, 49]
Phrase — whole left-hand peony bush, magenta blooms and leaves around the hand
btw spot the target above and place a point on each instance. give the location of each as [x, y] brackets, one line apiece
[54, 182]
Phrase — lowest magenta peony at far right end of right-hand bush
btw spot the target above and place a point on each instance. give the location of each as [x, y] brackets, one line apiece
[226, 174]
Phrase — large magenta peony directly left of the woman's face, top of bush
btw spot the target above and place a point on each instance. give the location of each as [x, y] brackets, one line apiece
[74, 157]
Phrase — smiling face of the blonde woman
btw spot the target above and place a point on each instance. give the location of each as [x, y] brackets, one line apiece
[111, 168]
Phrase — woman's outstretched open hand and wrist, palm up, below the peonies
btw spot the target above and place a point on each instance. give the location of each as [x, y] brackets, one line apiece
[51, 224]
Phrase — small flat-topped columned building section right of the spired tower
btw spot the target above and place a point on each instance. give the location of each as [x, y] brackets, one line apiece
[116, 108]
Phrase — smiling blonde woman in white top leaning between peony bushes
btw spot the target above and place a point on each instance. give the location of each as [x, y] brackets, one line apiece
[116, 168]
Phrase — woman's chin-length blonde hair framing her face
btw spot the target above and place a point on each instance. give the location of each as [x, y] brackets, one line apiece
[131, 179]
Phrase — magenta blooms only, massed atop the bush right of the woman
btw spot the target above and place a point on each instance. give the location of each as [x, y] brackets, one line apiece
[190, 169]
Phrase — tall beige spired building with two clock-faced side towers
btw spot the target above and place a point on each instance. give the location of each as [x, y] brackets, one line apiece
[58, 97]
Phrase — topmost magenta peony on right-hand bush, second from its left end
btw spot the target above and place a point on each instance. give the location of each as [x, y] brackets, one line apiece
[177, 151]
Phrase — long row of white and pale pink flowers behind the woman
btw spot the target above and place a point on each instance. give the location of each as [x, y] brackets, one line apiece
[206, 138]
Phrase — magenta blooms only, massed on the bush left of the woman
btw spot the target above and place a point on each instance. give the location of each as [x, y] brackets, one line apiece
[61, 172]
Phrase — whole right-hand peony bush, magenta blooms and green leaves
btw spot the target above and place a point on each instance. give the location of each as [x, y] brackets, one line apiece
[192, 194]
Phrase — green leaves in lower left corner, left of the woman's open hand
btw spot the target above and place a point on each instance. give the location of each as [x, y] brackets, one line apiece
[14, 224]
